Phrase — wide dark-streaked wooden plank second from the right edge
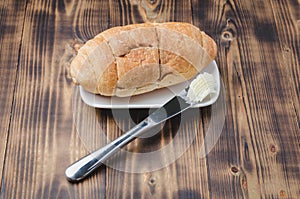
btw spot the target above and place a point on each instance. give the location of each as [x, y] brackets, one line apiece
[275, 129]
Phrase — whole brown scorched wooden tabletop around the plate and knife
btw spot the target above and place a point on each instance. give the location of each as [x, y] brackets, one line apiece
[256, 156]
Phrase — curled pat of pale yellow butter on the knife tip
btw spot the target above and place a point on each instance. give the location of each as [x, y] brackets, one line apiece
[201, 87]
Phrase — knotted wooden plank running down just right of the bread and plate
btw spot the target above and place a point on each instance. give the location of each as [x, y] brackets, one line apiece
[211, 17]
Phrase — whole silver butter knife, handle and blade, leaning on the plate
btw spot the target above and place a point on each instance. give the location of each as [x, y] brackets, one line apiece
[86, 165]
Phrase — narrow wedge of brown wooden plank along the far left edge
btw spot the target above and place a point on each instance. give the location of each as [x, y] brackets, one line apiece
[11, 26]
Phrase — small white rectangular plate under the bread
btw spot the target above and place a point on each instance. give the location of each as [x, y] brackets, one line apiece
[154, 99]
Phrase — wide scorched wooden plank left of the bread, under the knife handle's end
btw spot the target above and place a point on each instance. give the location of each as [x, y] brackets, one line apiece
[43, 139]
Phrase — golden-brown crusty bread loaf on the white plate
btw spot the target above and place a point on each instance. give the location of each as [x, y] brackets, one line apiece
[134, 59]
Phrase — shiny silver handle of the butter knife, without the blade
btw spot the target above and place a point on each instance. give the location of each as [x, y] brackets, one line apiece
[86, 165]
